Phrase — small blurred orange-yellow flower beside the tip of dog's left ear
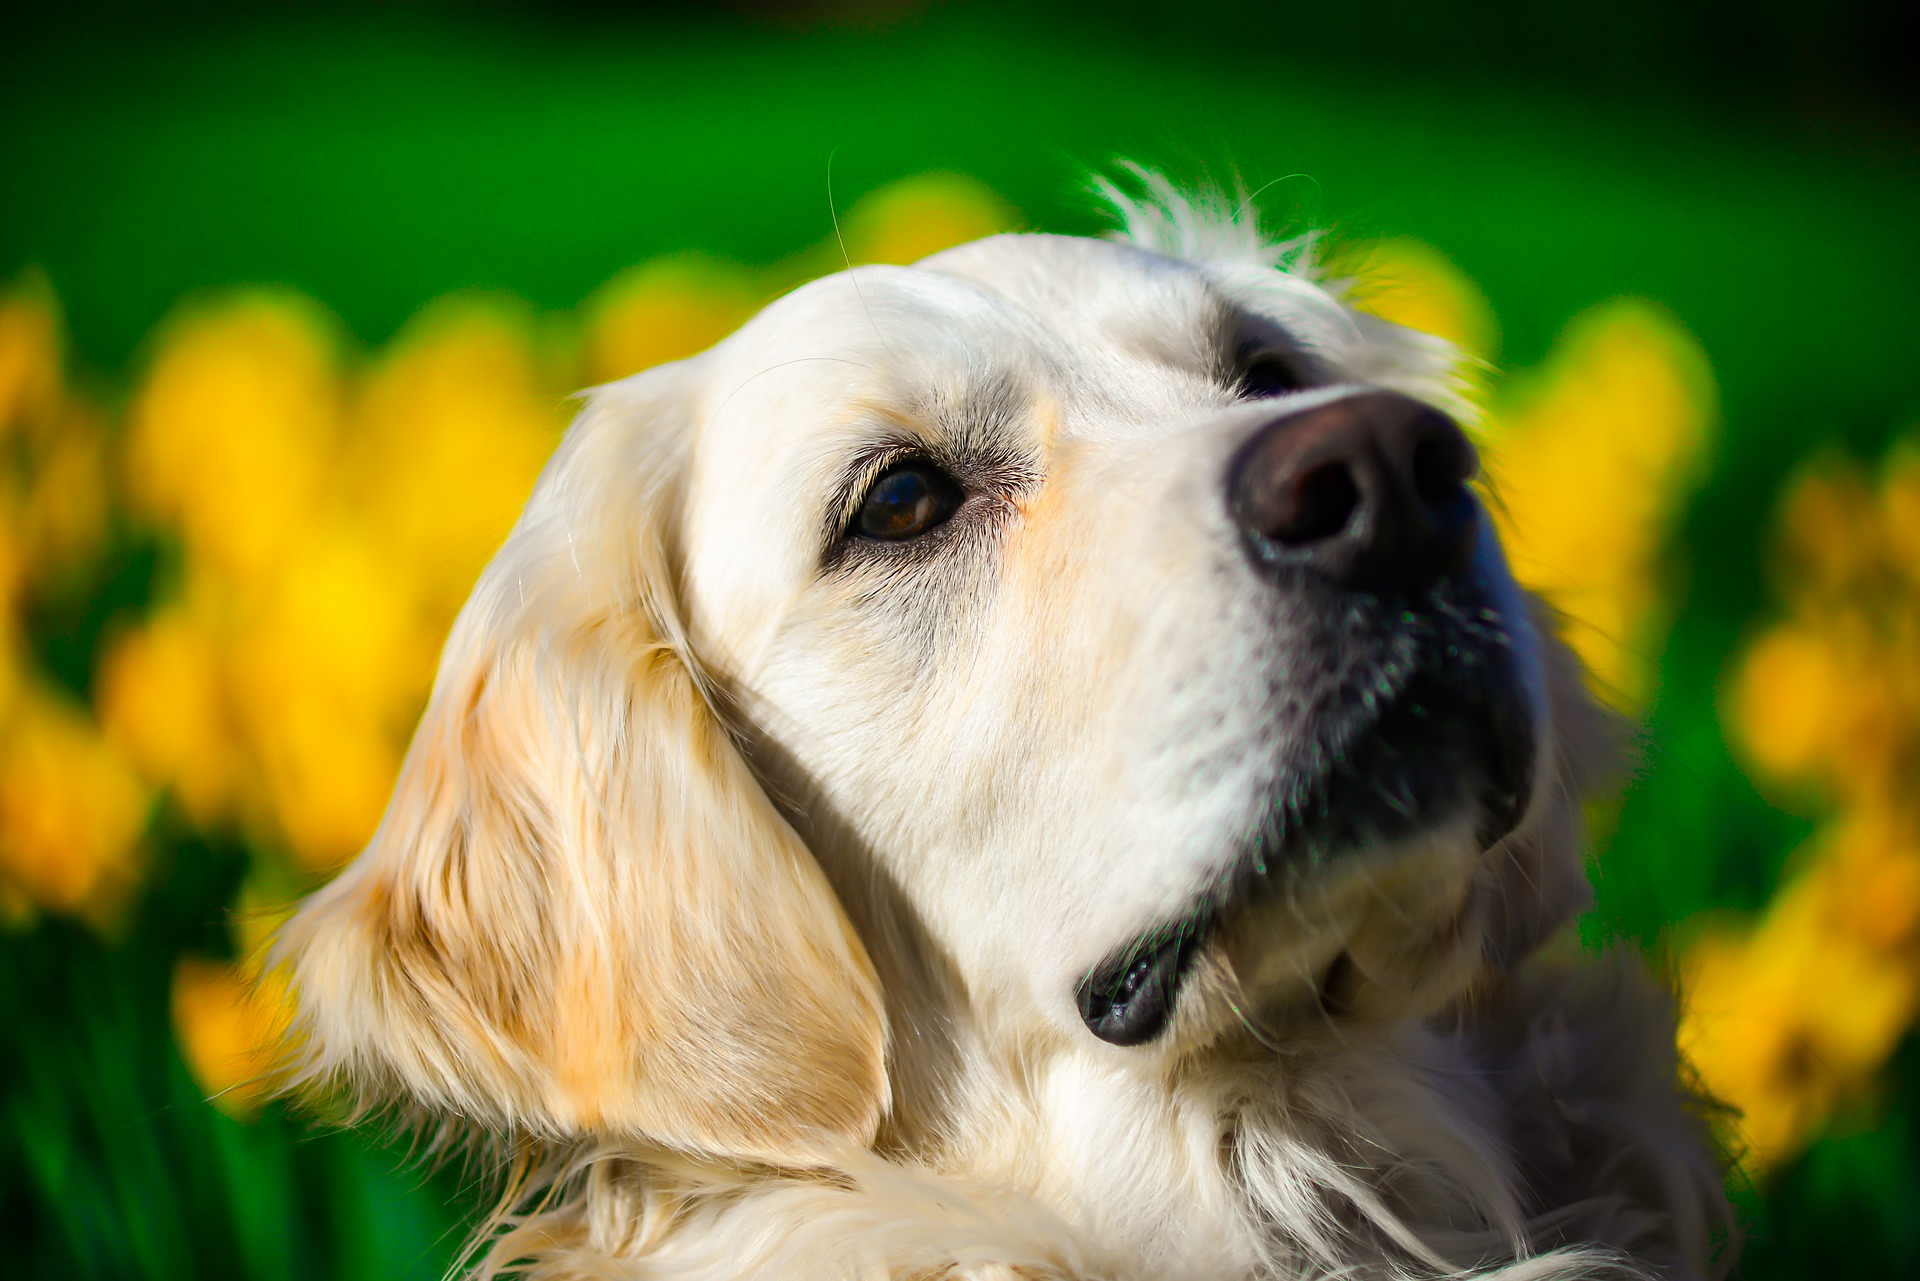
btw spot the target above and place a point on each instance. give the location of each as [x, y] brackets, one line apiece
[228, 1030]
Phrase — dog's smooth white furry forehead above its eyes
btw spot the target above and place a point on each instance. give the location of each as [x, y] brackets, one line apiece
[1086, 322]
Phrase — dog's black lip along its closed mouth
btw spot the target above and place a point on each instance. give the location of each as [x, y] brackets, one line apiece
[1458, 733]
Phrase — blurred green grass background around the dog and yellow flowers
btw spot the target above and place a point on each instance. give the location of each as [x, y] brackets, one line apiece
[1752, 170]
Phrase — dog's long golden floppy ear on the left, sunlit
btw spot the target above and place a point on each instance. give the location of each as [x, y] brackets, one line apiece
[581, 913]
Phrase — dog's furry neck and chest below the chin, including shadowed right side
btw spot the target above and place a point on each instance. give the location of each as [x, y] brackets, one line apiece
[1418, 1148]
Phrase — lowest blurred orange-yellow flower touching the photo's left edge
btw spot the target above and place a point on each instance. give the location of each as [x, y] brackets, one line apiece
[70, 810]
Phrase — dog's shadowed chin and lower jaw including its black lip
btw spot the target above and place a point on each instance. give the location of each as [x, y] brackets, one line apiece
[1356, 896]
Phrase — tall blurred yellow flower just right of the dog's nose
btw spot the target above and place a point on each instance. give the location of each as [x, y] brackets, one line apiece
[1589, 460]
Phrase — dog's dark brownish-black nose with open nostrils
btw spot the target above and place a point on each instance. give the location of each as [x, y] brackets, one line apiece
[1368, 491]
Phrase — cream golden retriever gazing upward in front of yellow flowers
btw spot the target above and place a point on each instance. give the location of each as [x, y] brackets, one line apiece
[1026, 765]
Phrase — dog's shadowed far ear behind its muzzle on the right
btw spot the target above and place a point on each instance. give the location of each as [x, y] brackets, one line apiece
[1541, 884]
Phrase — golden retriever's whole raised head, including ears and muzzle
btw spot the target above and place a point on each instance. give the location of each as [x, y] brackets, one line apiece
[1113, 623]
